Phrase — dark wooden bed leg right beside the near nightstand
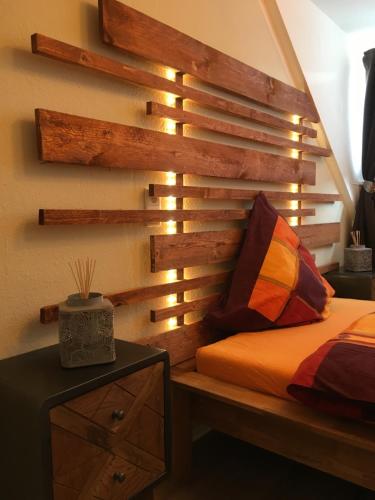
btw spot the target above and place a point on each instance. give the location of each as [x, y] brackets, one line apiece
[181, 435]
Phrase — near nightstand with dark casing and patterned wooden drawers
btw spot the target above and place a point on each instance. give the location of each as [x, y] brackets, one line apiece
[99, 432]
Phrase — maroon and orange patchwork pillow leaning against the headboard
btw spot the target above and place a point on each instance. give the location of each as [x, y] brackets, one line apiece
[275, 282]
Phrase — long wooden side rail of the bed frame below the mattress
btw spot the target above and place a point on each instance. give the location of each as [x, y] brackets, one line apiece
[288, 438]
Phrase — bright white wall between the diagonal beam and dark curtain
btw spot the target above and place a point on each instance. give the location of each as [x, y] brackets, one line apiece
[326, 68]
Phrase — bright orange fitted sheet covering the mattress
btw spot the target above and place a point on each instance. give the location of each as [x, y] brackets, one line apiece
[266, 361]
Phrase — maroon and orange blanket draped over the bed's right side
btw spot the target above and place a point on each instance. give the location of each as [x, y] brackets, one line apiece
[339, 377]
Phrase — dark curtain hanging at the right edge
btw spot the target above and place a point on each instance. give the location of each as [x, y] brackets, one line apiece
[365, 213]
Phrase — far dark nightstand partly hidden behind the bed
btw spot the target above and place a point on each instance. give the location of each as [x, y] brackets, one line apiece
[355, 285]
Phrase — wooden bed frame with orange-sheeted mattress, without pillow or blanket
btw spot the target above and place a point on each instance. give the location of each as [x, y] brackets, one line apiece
[244, 395]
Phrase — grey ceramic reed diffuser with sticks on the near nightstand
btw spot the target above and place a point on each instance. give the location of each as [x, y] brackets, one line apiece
[85, 323]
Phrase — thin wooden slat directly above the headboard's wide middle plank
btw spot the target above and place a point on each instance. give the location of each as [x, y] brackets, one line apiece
[222, 127]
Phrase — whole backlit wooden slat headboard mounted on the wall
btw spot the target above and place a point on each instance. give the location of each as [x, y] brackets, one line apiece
[71, 139]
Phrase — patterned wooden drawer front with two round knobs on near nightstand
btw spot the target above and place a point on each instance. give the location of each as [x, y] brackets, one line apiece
[112, 433]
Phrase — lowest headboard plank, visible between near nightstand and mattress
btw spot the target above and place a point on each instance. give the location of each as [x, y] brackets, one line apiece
[182, 343]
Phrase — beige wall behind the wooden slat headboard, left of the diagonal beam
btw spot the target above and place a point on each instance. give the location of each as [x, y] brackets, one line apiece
[33, 259]
